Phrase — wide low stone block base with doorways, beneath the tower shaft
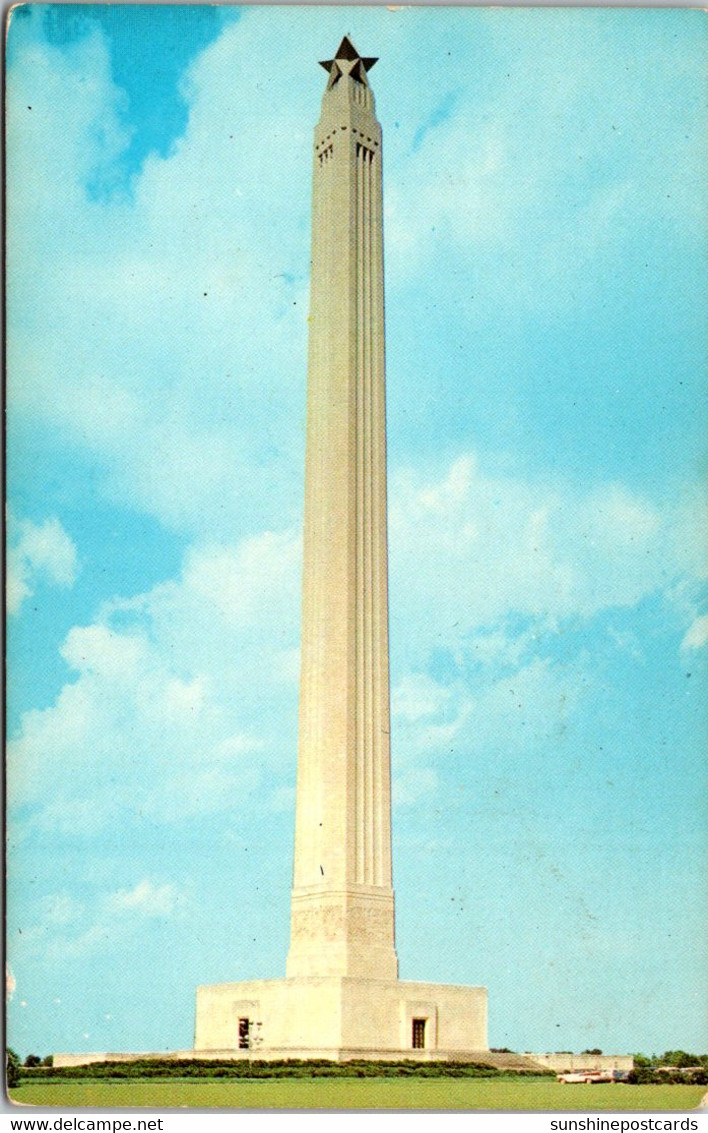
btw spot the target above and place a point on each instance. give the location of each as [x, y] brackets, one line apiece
[342, 1018]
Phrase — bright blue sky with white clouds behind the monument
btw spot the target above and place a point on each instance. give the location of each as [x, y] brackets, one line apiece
[545, 243]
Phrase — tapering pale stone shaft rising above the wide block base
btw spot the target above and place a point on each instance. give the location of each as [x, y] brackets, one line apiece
[343, 899]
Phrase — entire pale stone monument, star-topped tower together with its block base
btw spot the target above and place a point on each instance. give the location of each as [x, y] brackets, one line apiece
[342, 998]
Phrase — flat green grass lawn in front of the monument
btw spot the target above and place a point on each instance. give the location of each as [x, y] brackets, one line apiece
[360, 1094]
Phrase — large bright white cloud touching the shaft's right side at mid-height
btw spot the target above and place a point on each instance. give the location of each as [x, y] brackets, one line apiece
[471, 548]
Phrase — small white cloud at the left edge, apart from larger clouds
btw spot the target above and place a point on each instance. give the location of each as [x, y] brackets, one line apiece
[38, 551]
